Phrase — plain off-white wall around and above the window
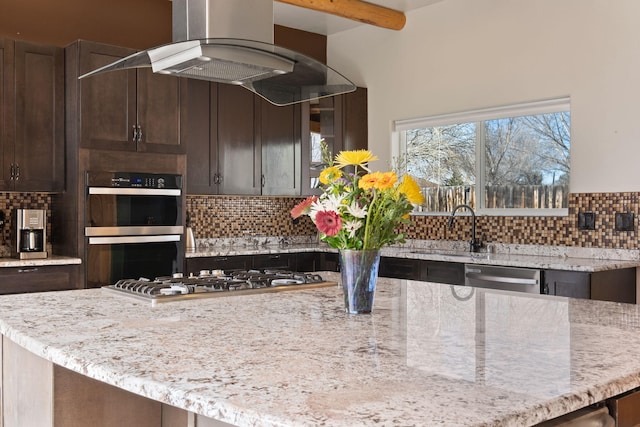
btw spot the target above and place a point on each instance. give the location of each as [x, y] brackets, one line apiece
[459, 55]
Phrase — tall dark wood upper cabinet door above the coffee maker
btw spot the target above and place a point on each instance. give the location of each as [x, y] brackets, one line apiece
[39, 117]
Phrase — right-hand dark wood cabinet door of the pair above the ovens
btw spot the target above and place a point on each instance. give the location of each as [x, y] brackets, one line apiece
[159, 107]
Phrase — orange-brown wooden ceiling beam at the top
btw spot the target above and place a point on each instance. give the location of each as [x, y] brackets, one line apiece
[356, 10]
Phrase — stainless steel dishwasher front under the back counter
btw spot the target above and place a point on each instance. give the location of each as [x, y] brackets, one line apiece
[504, 278]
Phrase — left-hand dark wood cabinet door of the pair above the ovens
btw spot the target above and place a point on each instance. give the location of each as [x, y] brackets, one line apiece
[107, 101]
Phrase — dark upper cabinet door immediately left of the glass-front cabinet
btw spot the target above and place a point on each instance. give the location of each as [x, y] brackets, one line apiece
[280, 139]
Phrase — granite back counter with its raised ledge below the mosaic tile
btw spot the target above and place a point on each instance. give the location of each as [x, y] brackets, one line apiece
[528, 256]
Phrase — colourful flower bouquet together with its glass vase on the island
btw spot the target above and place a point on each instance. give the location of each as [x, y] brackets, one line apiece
[358, 213]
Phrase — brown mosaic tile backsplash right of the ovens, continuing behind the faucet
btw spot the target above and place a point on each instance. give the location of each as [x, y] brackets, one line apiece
[233, 216]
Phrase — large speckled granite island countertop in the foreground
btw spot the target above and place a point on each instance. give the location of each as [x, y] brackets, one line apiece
[430, 354]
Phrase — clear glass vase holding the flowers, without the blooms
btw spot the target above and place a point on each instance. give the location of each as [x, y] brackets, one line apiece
[359, 273]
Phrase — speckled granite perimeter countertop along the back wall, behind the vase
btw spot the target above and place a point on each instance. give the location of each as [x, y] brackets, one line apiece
[551, 259]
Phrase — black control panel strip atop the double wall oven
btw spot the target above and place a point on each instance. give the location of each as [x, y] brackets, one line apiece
[133, 180]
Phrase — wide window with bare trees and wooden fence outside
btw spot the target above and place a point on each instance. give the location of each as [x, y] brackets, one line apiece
[510, 160]
